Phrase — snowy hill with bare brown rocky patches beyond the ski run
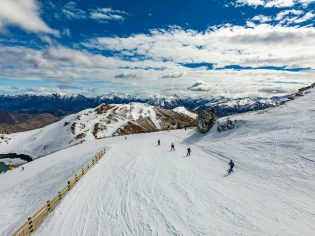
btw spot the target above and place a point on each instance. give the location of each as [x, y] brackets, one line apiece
[90, 124]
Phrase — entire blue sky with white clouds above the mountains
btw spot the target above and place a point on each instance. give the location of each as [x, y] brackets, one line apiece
[189, 48]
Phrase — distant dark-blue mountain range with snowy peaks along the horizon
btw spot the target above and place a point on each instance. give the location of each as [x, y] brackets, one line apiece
[63, 105]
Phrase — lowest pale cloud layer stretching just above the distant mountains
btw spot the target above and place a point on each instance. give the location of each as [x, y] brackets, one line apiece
[68, 66]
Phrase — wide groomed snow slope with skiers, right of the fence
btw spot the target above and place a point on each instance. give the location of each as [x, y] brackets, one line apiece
[143, 189]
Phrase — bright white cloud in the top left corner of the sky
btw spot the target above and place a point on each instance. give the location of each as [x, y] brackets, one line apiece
[24, 14]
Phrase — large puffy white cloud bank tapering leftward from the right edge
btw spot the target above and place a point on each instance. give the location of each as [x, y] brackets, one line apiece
[227, 45]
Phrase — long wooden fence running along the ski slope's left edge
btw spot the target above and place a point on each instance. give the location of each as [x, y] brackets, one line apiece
[34, 222]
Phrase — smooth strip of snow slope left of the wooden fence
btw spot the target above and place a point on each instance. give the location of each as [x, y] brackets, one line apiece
[22, 193]
